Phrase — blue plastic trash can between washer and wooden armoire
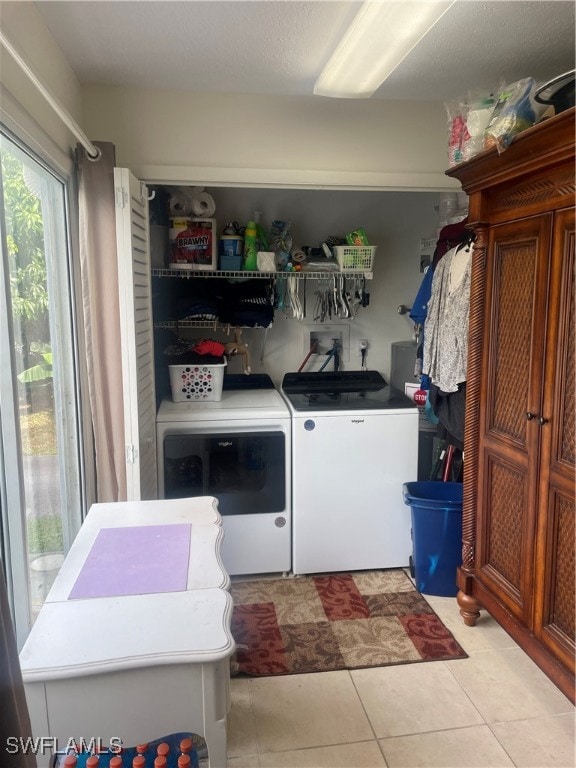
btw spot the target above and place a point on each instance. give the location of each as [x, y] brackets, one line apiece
[436, 509]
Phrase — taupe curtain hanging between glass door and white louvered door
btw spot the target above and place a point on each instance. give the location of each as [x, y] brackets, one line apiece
[99, 279]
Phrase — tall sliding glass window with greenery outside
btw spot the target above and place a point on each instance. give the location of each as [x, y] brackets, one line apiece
[40, 455]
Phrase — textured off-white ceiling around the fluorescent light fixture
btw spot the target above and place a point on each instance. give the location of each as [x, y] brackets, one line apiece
[280, 46]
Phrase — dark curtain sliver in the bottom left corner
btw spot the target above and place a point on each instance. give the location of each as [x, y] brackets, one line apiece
[14, 718]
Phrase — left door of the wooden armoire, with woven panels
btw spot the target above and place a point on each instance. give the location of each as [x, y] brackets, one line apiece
[514, 333]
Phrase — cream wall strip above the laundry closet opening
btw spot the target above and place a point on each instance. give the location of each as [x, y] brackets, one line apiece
[169, 136]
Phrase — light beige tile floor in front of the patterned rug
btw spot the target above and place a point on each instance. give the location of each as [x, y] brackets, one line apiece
[495, 708]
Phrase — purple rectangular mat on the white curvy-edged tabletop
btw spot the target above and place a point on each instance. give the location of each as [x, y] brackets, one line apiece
[135, 560]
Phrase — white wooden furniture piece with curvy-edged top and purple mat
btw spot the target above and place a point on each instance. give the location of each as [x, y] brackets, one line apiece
[131, 666]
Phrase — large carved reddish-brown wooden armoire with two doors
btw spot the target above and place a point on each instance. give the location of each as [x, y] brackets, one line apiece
[520, 428]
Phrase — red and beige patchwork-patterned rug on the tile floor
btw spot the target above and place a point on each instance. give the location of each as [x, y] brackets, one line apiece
[337, 621]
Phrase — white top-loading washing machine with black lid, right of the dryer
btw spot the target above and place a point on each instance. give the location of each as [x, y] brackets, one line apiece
[354, 444]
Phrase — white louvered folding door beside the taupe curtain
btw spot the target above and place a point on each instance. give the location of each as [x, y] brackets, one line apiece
[135, 291]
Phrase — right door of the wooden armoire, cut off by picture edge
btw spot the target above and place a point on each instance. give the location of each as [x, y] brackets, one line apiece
[555, 556]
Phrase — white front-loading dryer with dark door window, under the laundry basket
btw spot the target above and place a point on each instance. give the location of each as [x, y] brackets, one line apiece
[238, 450]
